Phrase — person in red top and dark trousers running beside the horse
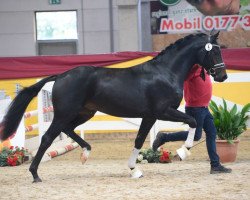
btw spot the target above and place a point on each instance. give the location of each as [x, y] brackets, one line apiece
[197, 95]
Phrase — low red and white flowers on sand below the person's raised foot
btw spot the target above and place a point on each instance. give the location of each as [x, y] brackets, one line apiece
[150, 156]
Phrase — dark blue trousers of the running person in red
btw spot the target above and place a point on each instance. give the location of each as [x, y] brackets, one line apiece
[204, 121]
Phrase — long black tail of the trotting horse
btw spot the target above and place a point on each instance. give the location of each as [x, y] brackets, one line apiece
[15, 112]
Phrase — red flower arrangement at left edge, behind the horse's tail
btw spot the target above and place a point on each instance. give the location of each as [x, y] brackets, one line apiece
[12, 156]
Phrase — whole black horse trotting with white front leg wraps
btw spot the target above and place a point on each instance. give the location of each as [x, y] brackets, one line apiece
[152, 90]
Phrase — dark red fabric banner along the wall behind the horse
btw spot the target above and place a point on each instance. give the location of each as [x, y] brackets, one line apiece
[38, 66]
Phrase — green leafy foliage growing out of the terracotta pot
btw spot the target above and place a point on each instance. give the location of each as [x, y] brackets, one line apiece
[229, 123]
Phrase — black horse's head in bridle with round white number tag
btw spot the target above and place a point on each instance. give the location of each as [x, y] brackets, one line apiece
[210, 58]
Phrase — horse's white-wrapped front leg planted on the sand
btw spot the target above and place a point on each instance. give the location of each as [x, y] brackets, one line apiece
[144, 129]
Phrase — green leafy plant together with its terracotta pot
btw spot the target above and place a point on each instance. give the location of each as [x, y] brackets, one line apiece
[230, 124]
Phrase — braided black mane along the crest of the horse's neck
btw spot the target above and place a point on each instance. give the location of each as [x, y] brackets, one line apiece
[179, 44]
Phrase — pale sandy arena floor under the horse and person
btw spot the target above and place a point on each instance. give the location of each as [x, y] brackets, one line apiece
[106, 176]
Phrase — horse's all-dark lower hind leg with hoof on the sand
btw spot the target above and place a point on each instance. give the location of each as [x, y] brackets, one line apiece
[47, 139]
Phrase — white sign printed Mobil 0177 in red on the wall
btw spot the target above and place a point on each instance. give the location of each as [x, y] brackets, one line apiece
[184, 18]
